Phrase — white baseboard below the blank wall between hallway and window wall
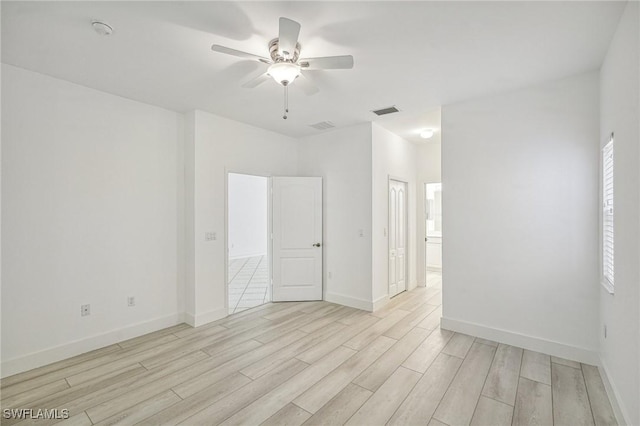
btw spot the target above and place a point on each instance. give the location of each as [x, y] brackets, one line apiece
[574, 353]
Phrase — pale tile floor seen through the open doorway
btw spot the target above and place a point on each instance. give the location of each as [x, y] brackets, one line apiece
[248, 283]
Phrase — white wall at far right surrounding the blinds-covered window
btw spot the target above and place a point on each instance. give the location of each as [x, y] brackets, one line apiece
[619, 86]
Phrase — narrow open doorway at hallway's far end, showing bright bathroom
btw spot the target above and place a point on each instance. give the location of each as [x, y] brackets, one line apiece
[433, 234]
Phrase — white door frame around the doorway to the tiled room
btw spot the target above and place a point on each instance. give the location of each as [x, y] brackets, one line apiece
[268, 176]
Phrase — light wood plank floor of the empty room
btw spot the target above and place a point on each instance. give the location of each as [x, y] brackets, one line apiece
[316, 363]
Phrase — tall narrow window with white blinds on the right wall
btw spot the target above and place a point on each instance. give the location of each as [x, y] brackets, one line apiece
[607, 216]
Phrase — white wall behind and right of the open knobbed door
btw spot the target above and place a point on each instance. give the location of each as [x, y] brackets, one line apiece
[343, 159]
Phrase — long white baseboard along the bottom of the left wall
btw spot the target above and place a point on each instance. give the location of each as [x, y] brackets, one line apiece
[77, 347]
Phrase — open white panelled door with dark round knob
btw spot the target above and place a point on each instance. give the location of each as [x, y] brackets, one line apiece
[297, 238]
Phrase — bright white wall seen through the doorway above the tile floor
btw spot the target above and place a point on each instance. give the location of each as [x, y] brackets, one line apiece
[247, 216]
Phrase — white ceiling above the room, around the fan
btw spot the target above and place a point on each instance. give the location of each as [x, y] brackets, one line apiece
[415, 55]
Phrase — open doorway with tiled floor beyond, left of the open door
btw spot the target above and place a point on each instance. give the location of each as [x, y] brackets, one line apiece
[248, 217]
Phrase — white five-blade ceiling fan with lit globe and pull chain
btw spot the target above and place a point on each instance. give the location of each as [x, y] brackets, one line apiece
[285, 64]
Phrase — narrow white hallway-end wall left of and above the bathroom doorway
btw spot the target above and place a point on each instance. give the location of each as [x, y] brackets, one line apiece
[429, 171]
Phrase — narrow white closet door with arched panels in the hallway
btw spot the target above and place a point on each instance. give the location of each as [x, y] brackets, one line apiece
[397, 237]
